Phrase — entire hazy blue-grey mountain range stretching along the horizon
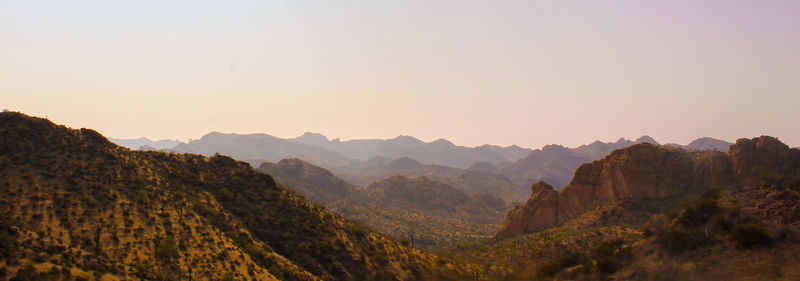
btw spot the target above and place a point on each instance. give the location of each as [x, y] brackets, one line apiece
[364, 161]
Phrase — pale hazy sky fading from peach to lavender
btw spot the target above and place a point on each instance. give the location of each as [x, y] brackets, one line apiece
[501, 72]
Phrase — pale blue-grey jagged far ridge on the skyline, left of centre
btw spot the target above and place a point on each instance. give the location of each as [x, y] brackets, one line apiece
[317, 149]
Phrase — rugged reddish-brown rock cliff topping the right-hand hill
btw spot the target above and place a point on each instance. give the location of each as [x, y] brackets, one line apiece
[646, 171]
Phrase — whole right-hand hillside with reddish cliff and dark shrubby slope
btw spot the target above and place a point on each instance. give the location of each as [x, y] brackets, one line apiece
[659, 213]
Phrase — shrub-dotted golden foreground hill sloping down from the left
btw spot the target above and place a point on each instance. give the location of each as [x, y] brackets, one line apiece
[74, 205]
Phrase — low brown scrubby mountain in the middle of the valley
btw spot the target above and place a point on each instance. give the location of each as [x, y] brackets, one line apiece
[425, 212]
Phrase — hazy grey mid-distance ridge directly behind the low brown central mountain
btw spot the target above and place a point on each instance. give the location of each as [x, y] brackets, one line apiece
[470, 182]
